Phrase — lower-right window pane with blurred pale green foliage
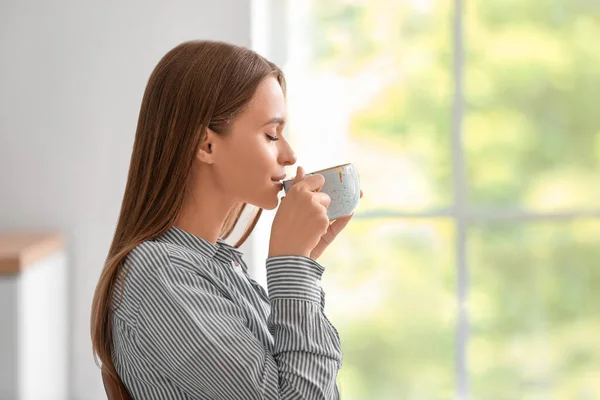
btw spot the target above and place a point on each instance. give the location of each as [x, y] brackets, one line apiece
[535, 310]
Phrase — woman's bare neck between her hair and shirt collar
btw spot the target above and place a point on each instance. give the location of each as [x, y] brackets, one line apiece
[204, 209]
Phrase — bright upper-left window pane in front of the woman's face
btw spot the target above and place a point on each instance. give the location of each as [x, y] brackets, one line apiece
[369, 82]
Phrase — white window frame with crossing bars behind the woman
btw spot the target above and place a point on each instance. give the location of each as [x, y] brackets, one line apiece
[269, 38]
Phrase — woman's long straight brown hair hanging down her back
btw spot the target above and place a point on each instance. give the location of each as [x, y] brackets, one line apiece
[195, 86]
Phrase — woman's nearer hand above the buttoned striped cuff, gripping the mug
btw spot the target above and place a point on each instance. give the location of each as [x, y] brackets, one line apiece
[301, 220]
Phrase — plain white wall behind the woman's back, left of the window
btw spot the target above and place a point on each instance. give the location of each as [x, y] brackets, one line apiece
[72, 75]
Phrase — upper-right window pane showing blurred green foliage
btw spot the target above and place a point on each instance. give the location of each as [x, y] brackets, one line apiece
[532, 126]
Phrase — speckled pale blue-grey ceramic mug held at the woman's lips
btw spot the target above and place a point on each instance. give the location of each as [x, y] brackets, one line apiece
[342, 184]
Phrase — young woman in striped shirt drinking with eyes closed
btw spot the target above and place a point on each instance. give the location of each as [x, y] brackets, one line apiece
[175, 315]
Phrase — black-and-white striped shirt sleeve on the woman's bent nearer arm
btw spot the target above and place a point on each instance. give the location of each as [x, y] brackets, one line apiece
[197, 337]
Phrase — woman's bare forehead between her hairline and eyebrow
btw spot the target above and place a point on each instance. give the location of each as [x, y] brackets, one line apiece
[268, 102]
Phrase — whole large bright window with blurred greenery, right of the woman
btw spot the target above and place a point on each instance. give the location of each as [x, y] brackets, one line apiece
[472, 268]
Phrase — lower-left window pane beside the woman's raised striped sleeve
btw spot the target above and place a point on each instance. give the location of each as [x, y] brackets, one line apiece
[390, 292]
